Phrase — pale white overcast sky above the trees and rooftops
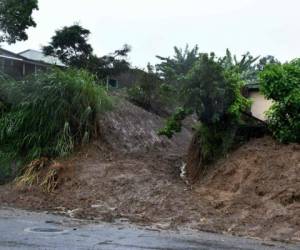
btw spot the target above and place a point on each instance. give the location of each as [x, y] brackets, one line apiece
[153, 27]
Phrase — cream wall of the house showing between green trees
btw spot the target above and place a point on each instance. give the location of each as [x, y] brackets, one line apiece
[259, 105]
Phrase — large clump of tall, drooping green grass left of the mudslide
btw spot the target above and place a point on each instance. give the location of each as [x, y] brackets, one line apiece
[48, 115]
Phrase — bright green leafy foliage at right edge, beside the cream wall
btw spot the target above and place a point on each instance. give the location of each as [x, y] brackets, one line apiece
[281, 83]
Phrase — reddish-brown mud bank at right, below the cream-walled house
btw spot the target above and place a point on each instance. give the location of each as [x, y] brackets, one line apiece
[257, 190]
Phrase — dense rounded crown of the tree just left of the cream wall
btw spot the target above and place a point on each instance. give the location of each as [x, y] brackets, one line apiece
[213, 92]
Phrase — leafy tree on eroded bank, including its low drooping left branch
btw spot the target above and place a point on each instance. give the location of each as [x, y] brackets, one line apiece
[214, 94]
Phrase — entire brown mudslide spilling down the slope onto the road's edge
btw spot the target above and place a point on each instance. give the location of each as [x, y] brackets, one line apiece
[132, 174]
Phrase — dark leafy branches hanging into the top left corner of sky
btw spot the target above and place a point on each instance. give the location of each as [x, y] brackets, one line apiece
[15, 19]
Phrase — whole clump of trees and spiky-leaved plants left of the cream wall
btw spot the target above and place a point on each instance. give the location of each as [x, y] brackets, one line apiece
[208, 86]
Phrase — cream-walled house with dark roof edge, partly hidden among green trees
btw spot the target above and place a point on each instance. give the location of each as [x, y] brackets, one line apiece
[259, 102]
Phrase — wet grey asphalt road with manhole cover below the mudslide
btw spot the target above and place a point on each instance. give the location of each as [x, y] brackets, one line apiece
[27, 230]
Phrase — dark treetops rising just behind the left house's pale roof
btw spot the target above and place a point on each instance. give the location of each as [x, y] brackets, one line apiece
[70, 45]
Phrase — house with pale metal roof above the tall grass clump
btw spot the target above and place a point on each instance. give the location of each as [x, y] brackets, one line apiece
[25, 63]
